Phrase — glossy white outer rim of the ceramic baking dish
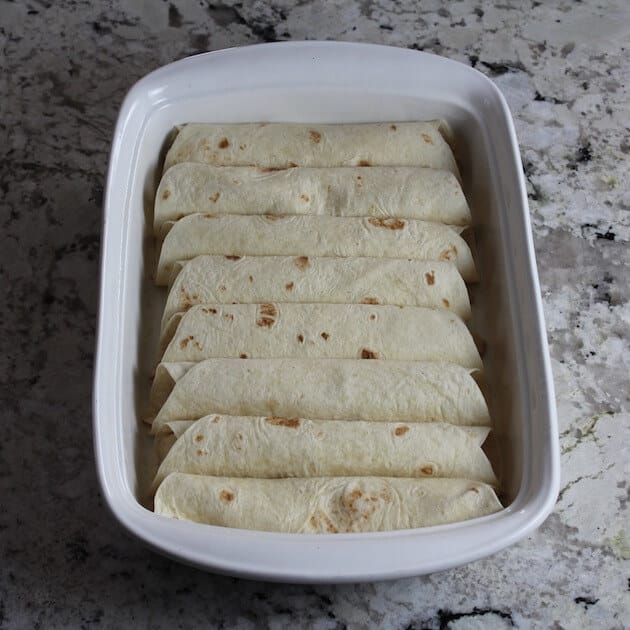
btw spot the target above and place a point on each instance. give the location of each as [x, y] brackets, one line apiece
[162, 534]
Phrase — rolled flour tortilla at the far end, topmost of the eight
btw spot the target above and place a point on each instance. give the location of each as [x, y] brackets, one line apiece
[282, 145]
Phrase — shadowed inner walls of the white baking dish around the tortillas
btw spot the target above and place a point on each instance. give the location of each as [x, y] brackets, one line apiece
[492, 298]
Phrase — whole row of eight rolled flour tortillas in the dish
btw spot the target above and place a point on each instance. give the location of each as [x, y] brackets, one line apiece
[306, 435]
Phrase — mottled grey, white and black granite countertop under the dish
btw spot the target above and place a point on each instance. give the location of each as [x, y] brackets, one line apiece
[563, 67]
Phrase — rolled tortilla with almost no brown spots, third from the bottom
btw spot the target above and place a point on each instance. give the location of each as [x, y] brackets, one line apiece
[335, 389]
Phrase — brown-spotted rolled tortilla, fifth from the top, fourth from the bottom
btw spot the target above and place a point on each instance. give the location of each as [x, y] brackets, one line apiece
[333, 331]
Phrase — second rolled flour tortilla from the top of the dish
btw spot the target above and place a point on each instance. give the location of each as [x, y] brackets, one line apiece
[406, 192]
